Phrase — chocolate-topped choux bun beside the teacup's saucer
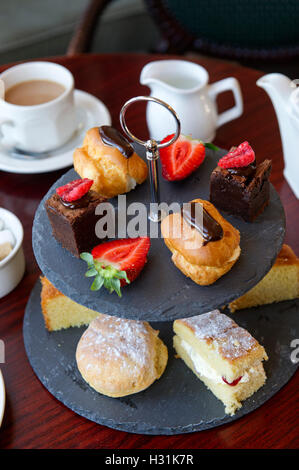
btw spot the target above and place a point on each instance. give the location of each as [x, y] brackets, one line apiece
[110, 161]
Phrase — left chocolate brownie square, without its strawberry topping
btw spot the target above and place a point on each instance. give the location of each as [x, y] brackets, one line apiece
[73, 224]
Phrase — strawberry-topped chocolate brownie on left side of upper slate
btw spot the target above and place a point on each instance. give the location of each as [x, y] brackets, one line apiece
[71, 211]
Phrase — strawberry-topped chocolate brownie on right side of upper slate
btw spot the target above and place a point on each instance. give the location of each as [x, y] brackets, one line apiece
[240, 186]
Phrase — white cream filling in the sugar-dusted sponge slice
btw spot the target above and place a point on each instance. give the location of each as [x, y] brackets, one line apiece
[203, 368]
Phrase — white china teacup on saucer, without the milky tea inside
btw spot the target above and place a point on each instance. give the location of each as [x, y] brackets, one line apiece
[41, 127]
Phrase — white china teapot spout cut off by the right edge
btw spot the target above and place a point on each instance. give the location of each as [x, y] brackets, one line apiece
[285, 99]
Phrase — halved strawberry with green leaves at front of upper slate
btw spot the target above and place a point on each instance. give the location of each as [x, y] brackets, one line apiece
[117, 263]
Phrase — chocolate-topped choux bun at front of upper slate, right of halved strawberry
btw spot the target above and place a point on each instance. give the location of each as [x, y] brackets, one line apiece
[204, 245]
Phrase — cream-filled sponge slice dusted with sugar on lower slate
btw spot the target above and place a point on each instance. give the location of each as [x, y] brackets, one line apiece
[224, 356]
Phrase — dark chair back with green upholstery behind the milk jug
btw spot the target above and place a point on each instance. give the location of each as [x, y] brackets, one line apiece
[255, 29]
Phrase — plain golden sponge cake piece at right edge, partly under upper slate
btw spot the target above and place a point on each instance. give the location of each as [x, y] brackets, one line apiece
[281, 283]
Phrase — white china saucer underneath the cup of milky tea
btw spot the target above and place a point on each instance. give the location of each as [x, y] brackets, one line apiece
[90, 112]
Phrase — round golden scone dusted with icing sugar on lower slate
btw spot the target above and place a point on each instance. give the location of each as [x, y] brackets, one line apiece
[119, 357]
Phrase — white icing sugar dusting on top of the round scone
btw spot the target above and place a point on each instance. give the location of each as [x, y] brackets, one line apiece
[117, 339]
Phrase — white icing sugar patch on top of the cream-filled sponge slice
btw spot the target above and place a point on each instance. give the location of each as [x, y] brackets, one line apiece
[209, 325]
